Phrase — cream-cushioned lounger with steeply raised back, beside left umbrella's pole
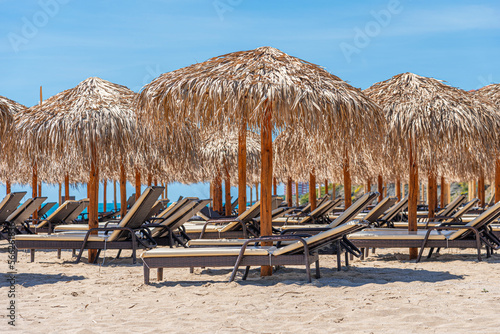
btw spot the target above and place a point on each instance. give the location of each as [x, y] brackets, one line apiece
[128, 234]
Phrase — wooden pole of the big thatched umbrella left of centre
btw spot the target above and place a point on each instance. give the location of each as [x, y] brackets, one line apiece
[93, 199]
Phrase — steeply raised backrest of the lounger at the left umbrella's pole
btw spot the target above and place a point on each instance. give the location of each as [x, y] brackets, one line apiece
[137, 214]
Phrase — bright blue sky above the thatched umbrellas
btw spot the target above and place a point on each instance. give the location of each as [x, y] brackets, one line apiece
[58, 43]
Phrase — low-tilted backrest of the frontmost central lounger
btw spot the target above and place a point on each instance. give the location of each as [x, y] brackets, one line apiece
[322, 238]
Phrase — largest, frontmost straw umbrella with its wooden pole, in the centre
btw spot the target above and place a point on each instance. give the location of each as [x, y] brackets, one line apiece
[263, 88]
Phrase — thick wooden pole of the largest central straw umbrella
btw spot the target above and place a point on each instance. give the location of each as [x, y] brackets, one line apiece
[266, 180]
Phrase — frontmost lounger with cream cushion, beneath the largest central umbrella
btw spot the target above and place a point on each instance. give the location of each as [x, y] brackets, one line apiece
[301, 251]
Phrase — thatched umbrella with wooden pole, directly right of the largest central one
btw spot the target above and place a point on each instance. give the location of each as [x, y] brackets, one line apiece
[428, 119]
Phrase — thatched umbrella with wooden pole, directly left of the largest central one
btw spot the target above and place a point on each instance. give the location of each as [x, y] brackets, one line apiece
[91, 119]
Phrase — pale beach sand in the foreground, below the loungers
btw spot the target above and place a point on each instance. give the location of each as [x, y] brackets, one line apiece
[385, 293]
